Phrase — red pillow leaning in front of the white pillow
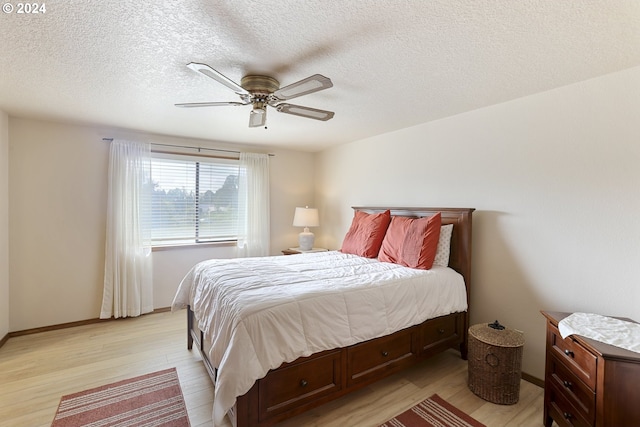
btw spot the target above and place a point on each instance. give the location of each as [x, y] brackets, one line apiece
[411, 242]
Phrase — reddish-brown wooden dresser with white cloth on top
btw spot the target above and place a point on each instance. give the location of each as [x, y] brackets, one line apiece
[589, 383]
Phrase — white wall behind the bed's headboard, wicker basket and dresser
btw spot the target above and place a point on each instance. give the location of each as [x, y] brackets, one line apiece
[555, 181]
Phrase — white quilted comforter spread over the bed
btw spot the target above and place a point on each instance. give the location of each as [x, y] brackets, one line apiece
[261, 312]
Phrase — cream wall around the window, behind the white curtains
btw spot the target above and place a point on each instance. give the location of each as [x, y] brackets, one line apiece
[57, 217]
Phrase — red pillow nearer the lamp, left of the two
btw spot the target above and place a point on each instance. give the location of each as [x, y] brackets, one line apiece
[366, 233]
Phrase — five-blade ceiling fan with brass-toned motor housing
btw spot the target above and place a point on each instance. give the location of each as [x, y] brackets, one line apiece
[260, 91]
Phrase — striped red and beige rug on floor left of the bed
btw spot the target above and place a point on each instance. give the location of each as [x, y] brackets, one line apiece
[149, 400]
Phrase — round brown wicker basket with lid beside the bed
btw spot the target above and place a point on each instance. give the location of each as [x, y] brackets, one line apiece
[495, 362]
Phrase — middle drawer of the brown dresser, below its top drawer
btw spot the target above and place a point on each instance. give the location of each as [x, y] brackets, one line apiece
[581, 396]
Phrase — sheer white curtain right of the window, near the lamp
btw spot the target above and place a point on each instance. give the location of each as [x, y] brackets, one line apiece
[253, 205]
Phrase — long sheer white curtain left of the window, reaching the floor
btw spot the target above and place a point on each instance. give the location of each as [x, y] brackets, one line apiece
[128, 270]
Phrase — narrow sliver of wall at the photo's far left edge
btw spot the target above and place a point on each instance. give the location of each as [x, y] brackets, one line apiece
[4, 224]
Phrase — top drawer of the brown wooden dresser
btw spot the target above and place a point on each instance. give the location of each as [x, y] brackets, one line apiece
[577, 358]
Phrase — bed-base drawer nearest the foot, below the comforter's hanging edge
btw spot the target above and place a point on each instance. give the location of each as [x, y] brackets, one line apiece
[292, 385]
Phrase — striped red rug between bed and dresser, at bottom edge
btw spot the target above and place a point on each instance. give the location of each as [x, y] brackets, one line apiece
[433, 412]
